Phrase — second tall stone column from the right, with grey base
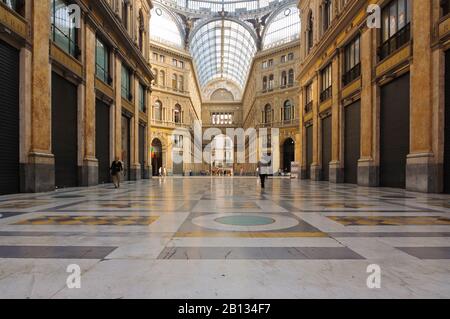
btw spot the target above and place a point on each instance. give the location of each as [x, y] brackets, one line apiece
[368, 171]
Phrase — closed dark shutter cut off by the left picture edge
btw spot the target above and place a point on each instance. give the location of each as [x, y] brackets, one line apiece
[9, 120]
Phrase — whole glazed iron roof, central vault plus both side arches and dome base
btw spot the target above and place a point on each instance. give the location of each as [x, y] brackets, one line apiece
[223, 36]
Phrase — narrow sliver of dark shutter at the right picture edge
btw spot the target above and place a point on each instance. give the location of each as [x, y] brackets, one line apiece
[447, 125]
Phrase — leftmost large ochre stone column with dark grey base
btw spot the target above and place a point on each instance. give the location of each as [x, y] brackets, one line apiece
[38, 173]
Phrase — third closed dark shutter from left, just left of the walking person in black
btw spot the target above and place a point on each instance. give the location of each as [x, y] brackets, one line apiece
[102, 141]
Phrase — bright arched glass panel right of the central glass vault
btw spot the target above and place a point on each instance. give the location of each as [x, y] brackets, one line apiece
[284, 28]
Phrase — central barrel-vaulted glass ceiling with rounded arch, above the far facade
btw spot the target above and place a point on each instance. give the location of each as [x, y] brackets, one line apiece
[223, 49]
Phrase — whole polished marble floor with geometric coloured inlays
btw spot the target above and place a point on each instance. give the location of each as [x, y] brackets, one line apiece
[225, 238]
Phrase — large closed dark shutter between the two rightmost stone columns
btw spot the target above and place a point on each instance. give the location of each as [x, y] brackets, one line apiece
[394, 132]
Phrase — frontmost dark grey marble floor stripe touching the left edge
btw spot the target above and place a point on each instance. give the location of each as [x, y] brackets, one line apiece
[55, 252]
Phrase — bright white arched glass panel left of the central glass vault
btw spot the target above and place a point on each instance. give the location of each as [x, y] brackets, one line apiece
[164, 28]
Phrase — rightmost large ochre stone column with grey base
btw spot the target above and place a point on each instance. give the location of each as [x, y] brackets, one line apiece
[422, 172]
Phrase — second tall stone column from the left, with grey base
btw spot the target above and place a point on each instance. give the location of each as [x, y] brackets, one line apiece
[89, 169]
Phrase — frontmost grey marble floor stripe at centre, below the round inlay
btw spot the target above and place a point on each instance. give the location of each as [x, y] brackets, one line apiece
[259, 253]
